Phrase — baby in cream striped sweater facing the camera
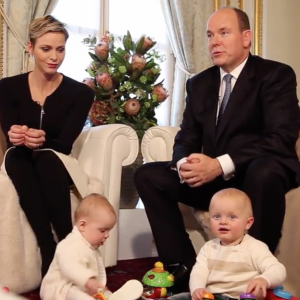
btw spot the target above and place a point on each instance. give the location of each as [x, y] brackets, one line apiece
[234, 262]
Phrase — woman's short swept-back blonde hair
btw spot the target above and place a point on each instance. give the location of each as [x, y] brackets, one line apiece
[45, 24]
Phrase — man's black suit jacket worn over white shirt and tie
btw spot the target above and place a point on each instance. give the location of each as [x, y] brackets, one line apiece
[262, 117]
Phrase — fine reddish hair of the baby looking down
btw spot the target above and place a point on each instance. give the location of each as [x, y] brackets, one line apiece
[91, 204]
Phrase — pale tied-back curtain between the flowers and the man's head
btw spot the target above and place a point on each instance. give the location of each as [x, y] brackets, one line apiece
[186, 26]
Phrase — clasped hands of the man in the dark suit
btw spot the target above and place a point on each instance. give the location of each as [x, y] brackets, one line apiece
[199, 169]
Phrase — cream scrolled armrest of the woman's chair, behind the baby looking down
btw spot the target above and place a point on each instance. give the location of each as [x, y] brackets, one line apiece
[102, 151]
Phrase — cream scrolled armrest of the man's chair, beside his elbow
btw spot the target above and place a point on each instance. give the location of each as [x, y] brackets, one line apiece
[157, 143]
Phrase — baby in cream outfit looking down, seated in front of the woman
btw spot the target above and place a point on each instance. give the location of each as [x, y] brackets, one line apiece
[77, 271]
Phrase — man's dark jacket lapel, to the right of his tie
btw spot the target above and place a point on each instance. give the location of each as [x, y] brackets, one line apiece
[238, 95]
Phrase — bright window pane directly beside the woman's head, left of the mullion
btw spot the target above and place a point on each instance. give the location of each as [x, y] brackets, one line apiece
[82, 19]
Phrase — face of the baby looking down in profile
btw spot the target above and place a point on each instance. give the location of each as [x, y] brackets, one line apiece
[97, 228]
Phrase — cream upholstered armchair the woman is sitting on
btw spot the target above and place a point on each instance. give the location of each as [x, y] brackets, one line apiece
[101, 152]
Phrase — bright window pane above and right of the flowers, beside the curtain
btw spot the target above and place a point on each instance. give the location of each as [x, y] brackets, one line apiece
[146, 17]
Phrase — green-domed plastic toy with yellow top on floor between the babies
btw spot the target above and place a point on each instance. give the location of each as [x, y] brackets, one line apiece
[156, 281]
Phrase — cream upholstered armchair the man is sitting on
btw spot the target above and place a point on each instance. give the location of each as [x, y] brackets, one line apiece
[157, 145]
